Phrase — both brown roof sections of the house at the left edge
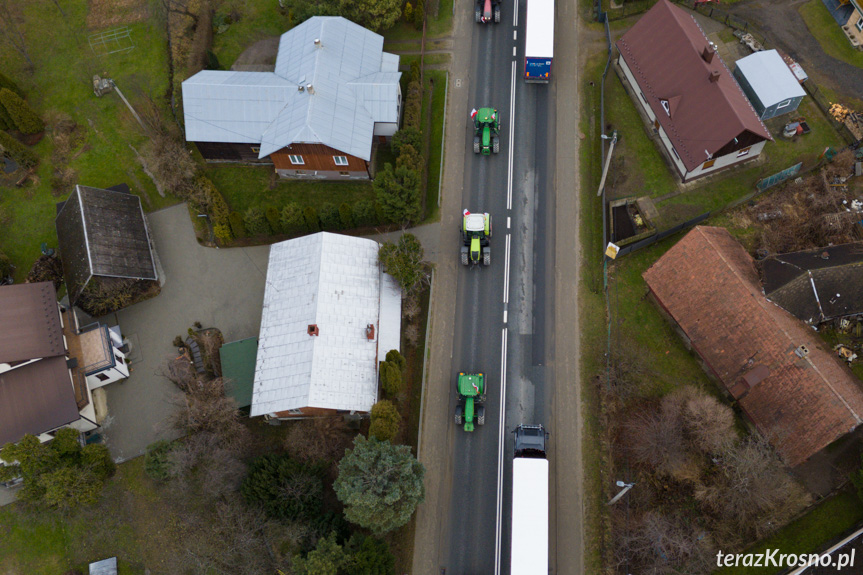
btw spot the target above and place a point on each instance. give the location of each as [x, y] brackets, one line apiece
[36, 392]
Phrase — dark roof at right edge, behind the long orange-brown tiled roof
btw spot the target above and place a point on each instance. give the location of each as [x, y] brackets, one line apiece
[817, 285]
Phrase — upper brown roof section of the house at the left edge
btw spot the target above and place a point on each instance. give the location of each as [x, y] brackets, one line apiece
[29, 322]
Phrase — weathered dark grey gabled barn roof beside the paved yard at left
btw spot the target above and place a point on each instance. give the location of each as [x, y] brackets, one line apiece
[103, 233]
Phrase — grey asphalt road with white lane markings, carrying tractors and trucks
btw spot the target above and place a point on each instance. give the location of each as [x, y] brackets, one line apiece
[515, 346]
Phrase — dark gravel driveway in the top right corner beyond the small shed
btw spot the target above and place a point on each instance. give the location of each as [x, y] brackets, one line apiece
[781, 22]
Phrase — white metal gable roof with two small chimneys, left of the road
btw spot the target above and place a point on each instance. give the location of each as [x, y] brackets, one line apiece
[334, 282]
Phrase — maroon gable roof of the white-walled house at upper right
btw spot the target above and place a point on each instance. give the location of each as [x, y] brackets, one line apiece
[664, 52]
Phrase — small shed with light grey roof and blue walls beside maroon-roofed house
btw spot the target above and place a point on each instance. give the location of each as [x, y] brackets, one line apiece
[769, 84]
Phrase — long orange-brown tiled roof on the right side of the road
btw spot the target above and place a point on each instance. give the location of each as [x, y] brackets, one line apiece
[708, 284]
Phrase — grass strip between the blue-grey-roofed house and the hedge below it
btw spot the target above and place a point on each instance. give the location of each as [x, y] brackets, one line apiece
[248, 186]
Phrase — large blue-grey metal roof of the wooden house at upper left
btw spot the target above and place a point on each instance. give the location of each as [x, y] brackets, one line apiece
[331, 85]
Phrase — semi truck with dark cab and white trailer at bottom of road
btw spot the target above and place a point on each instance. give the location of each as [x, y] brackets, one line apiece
[529, 542]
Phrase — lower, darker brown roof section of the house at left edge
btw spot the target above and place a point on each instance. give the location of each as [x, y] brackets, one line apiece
[36, 398]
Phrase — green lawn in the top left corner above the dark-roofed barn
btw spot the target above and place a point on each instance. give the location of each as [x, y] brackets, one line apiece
[61, 83]
